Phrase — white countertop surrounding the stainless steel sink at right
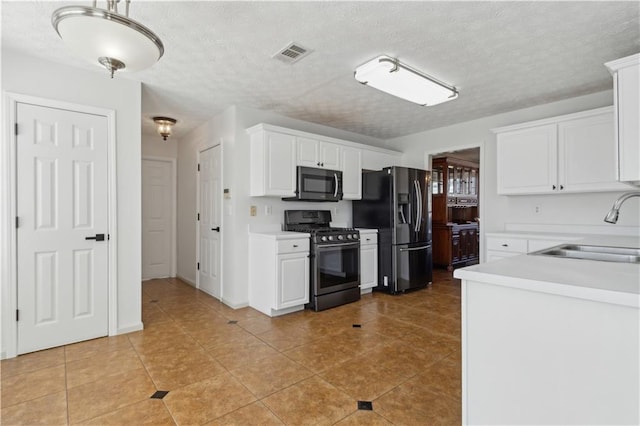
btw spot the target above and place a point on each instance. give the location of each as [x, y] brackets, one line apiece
[609, 282]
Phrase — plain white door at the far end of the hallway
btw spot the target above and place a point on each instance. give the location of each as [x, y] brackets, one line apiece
[157, 218]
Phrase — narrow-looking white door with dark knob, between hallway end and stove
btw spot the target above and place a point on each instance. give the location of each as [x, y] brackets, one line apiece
[209, 224]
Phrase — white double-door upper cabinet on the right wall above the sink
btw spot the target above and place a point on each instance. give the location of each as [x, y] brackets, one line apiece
[571, 153]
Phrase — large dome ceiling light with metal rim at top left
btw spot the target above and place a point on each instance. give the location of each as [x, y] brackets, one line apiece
[106, 37]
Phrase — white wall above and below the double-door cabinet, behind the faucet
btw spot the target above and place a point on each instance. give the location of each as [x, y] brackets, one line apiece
[496, 210]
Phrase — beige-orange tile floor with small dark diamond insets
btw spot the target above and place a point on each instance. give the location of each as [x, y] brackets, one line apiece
[239, 367]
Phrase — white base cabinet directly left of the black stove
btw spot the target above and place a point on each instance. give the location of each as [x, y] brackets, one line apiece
[278, 272]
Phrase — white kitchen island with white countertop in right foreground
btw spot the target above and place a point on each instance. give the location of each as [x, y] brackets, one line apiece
[550, 340]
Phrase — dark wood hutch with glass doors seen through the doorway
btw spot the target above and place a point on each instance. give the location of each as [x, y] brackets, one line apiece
[455, 212]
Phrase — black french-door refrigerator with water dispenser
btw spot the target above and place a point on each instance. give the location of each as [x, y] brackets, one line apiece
[397, 202]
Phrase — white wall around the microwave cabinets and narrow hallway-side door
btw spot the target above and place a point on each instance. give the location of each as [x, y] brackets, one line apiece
[228, 128]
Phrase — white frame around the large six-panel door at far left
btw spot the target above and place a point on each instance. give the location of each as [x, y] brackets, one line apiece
[8, 237]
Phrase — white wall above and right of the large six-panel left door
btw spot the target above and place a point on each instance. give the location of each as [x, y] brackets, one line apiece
[30, 76]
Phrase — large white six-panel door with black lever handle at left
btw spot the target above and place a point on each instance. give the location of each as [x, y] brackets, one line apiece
[62, 201]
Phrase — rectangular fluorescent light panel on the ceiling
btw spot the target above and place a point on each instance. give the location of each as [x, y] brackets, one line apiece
[397, 79]
